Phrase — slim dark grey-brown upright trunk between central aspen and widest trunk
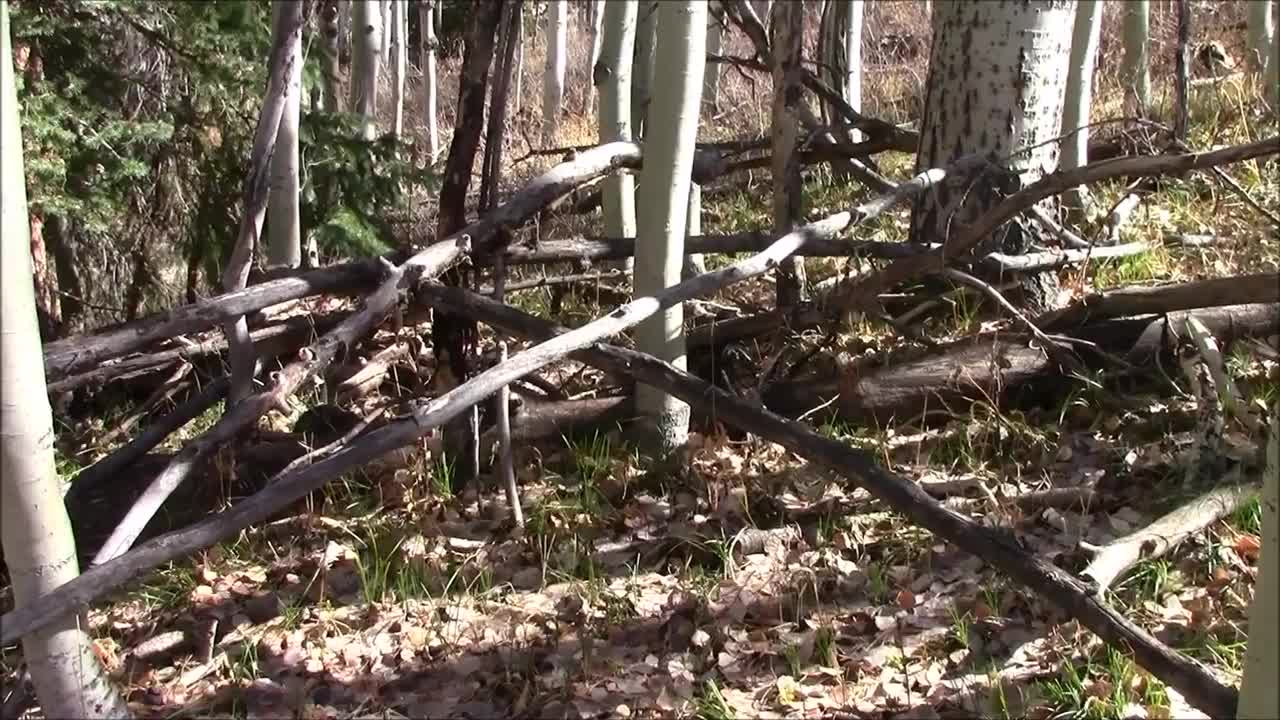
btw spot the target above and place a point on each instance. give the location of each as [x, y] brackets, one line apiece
[788, 40]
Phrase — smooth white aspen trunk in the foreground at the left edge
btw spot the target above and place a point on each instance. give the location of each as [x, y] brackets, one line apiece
[35, 531]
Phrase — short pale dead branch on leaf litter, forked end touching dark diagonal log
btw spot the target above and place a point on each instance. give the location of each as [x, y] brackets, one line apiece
[1118, 557]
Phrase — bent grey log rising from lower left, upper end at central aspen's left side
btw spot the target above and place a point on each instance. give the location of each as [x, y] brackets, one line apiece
[316, 359]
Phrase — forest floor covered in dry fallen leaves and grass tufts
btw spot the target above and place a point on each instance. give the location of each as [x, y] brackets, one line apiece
[739, 581]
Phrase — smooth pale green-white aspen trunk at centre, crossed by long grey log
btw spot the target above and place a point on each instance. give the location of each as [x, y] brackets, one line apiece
[664, 206]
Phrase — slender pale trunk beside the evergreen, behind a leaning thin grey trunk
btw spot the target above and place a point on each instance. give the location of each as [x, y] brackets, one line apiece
[285, 227]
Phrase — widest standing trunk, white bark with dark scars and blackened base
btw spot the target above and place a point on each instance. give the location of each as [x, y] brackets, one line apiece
[998, 76]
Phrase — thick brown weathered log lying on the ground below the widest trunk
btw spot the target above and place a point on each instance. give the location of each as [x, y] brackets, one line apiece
[996, 368]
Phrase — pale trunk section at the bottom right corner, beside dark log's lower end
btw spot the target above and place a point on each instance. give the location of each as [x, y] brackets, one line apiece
[1260, 692]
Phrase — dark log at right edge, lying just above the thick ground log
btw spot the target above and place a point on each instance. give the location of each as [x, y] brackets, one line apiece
[1215, 293]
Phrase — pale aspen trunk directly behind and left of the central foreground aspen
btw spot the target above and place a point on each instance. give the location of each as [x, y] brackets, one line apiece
[612, 76]
